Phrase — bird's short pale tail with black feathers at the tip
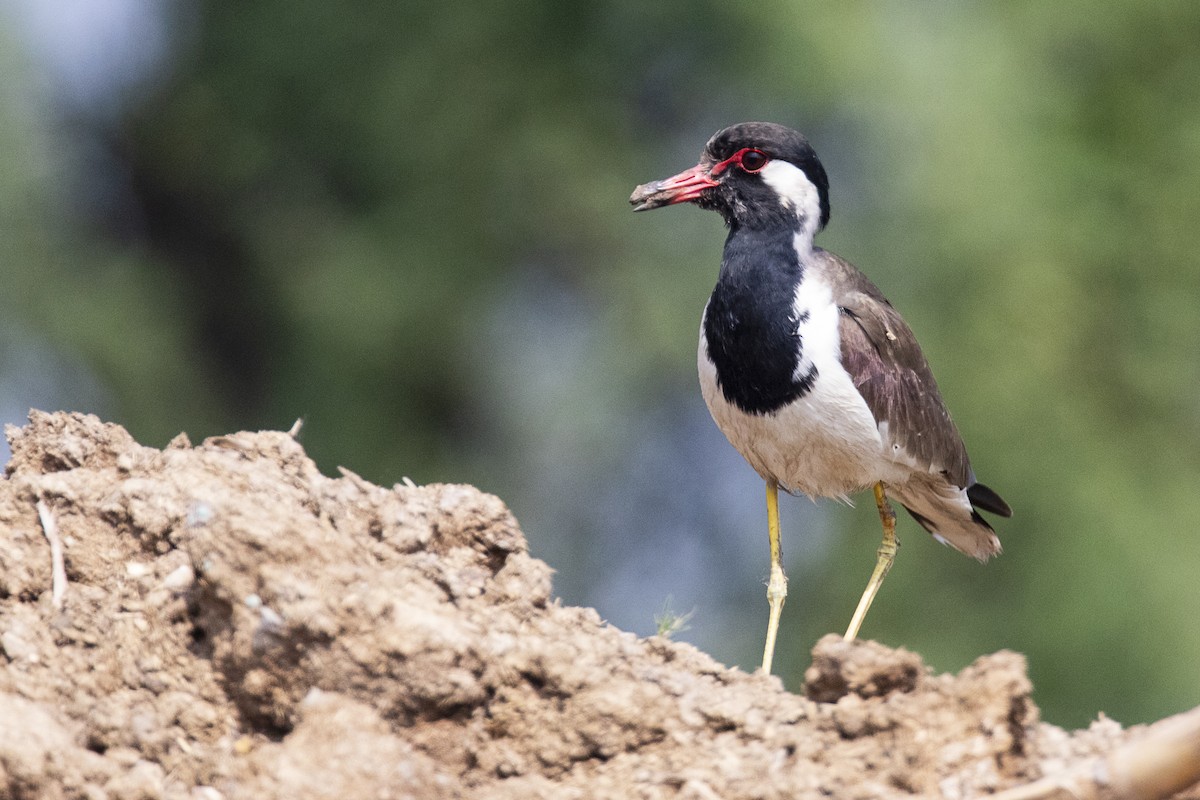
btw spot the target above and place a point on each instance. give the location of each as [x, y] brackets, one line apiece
[949, 513]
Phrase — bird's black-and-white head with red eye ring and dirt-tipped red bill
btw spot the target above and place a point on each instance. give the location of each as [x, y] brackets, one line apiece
[754, 175]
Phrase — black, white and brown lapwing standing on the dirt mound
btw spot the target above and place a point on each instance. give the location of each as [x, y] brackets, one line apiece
[808, 370]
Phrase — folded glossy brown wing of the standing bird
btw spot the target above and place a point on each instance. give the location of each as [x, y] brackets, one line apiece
[883, 357]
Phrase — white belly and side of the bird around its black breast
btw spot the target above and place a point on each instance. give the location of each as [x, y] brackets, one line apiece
[825, 444]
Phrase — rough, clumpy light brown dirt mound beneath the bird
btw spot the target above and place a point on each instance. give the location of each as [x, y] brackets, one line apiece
[237, 625]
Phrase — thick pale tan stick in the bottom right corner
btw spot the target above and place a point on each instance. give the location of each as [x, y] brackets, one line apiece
[1161, 763]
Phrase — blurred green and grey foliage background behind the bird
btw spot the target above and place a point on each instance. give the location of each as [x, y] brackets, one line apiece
[407, 224]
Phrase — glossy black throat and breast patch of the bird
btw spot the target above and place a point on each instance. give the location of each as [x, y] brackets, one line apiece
[751, 326]
